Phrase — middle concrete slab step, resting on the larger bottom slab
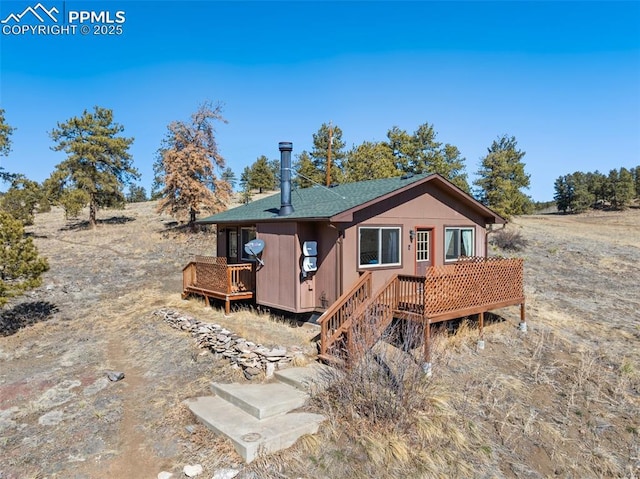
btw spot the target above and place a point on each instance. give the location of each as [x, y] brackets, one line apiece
[262, 400]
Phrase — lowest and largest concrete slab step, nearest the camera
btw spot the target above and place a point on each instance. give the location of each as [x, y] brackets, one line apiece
[251, 436]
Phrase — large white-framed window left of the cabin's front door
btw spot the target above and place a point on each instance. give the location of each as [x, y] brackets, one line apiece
[379, 246]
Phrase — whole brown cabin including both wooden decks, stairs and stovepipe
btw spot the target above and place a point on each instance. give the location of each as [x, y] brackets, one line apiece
[412, 247]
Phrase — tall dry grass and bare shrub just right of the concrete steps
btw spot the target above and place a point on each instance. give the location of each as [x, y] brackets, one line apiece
[387, 419]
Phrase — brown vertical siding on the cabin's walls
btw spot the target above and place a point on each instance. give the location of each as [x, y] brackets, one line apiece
[279, 283]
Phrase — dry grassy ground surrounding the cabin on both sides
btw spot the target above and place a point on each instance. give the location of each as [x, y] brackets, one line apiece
[558, 401]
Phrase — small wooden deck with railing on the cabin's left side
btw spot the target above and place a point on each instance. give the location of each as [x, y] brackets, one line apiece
[212, 277]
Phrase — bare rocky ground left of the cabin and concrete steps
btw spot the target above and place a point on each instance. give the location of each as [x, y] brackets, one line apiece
[60, 415]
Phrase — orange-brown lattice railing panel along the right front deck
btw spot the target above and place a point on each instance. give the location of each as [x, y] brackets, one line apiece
[472, 285]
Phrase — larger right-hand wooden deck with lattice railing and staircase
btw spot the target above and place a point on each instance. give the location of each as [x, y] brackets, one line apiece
[471, 286]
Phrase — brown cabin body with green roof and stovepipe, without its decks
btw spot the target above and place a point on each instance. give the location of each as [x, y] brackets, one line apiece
[389, 226]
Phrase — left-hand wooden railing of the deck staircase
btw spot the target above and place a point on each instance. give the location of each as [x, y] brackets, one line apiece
[335, 321]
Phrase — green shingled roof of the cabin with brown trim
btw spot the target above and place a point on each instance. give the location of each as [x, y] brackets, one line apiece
[320, 203]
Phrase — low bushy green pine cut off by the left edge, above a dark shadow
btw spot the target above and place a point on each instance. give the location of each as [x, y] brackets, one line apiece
[20, 266]
